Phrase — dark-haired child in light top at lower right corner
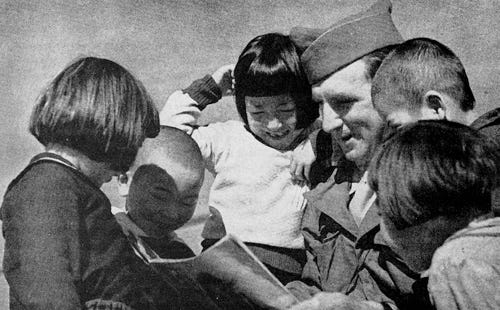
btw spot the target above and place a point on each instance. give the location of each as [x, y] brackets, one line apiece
[433, 181]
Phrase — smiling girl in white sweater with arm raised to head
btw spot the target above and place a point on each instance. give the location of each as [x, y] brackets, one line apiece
[253, 195]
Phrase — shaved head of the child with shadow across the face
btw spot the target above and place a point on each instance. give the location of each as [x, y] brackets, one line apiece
[164, 189]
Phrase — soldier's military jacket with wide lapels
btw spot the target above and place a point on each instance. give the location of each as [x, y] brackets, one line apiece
[342, 257]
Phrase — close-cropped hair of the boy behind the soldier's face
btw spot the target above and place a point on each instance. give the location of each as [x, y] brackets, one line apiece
[417, 66]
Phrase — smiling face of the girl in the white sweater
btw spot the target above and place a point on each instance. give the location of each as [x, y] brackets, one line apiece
[273, 119]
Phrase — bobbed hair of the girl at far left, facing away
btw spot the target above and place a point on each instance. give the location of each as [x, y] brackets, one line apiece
[98, 108]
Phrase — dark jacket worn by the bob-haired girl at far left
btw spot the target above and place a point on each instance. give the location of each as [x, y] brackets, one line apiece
[64, 249]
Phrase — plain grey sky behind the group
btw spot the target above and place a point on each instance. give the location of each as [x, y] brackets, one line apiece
[167, 44]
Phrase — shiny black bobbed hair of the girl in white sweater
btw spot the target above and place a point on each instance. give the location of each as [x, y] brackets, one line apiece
[269, 65]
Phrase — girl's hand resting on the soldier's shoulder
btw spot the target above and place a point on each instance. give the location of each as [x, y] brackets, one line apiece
[302, 158]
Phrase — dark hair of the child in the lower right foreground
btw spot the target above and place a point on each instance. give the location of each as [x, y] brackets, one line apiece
[434, 168]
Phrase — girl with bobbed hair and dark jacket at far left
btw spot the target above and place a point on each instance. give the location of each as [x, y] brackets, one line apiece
[63, 247]
